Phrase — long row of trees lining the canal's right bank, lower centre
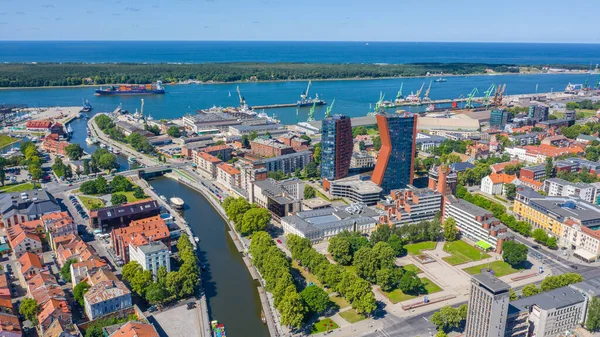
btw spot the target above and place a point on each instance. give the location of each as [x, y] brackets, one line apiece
[275, 269]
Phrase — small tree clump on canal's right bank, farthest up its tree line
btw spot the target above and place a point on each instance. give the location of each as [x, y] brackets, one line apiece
[247, 218]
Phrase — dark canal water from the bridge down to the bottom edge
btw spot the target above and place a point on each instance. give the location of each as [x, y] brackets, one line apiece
[231, 293]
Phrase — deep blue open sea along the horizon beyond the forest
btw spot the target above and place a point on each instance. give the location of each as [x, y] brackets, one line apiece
[309, 52]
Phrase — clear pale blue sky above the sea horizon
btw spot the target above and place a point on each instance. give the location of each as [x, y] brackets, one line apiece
[308, 20]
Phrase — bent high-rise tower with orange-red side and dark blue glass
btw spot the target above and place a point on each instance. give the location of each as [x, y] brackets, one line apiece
[395, 165]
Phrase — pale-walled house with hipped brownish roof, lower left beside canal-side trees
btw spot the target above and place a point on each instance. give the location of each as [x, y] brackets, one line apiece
[106, 296]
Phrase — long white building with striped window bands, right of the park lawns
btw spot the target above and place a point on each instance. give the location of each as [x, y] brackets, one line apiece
[476, 223]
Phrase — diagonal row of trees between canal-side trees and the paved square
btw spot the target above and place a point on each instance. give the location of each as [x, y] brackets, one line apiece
[355, 289]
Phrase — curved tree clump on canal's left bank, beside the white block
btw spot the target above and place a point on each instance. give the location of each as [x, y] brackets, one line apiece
[166, 286]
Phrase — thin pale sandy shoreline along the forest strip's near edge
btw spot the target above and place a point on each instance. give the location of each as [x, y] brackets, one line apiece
[298, 80]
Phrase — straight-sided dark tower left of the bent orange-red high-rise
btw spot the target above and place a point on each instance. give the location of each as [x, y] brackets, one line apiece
[336, 147]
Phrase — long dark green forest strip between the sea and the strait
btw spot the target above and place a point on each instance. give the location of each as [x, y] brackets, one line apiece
[75, 74]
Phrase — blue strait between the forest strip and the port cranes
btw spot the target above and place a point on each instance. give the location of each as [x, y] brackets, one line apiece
[352, 97]
